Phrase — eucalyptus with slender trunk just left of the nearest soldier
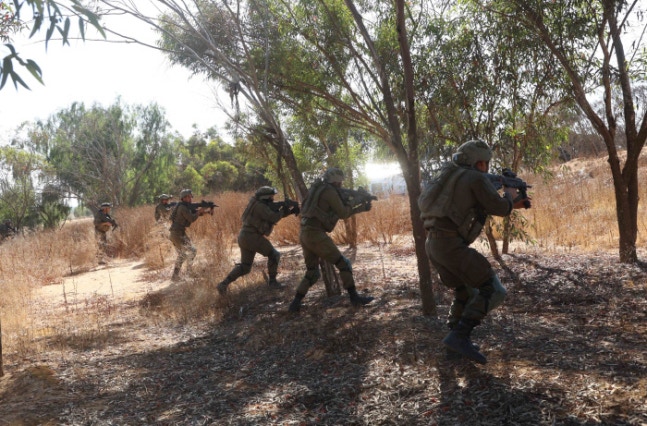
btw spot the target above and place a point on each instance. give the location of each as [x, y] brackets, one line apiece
[355, 60]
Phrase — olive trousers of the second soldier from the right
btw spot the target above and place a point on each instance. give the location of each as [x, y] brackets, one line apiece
[317, 244]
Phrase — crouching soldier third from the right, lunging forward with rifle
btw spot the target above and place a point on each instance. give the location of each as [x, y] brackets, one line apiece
[258, 221]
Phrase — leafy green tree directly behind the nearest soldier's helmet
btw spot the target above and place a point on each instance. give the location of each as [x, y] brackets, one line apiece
[488, 79]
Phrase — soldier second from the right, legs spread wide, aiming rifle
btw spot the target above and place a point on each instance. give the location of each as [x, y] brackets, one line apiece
[321, 210]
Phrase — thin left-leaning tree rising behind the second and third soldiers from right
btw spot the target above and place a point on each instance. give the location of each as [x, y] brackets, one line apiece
[230, 42]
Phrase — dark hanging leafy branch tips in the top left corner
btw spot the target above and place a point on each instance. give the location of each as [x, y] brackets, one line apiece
[56, 17]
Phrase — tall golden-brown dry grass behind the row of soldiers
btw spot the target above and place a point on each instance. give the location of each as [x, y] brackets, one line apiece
[574, 211]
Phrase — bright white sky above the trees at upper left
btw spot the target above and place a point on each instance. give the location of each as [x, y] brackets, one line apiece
[101, 72]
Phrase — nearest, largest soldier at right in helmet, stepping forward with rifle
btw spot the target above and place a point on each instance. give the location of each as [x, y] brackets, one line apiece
[454, 207]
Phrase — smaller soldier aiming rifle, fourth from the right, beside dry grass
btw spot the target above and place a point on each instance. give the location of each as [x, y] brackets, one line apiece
[181, 218]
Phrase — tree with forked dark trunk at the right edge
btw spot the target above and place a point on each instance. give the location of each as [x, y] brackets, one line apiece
[598, 44]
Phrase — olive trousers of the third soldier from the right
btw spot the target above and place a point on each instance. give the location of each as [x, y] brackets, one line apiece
[251, 243]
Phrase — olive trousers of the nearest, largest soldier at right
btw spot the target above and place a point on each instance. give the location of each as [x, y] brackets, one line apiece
[477, 289]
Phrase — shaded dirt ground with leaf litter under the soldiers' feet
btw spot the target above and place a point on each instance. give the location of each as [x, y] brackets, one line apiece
[568, 347]
